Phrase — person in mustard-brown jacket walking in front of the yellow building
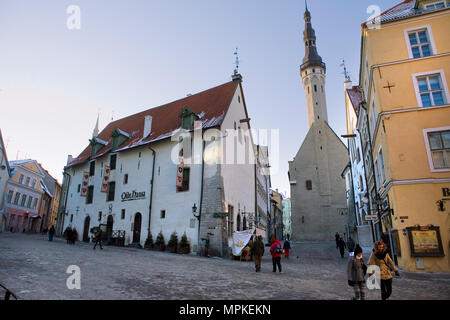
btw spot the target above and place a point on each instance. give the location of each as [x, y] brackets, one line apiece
[382, 260]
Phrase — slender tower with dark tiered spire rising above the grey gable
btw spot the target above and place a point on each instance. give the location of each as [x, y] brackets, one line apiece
[312, 71]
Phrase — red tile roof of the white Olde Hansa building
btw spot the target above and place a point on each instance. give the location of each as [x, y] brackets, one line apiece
[210, 105]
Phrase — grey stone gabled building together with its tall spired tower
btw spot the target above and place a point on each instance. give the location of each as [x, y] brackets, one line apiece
[318, 200]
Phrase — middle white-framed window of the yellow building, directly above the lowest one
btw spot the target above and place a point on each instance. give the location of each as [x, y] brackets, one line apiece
[431, 90]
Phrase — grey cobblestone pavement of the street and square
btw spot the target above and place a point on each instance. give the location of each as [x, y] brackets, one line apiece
[35, 268]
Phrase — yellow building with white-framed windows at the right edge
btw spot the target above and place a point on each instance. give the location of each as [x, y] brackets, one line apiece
[405, 69]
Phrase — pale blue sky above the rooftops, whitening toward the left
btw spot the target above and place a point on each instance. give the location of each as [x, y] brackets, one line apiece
[122, 57]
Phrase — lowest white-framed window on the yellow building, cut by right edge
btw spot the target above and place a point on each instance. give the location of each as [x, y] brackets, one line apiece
[438, 144]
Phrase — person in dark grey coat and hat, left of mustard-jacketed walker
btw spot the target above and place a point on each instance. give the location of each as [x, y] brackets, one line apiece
[356, 272]
